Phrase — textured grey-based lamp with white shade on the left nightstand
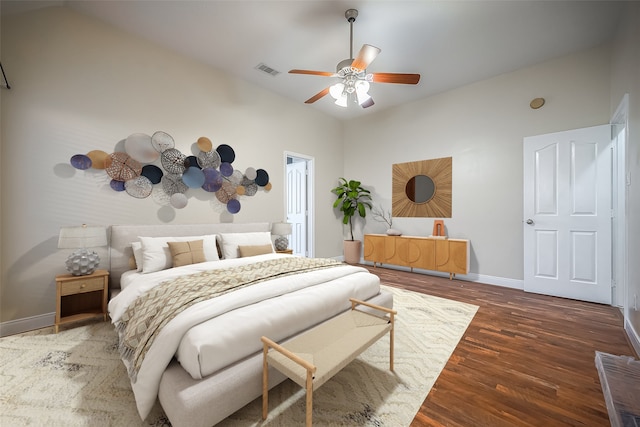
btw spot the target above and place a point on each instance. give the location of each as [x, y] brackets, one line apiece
[82, 261]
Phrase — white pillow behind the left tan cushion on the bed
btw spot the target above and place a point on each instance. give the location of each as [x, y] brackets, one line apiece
[156, 255]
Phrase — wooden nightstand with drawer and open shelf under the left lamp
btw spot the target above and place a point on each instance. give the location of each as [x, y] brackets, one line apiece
[81, 297]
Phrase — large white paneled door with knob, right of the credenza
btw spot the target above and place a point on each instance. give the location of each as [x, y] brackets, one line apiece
[567, 208]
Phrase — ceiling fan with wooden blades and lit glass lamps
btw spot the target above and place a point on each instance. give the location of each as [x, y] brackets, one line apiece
[353, 74]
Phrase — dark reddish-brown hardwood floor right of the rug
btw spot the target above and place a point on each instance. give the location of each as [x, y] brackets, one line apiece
[525, 359]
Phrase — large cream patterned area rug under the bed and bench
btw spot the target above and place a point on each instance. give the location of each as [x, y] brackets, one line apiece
[75, 378]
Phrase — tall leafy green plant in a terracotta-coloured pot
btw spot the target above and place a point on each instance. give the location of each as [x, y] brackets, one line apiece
[351, 199]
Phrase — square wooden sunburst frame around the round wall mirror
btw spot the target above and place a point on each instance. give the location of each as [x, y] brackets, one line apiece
[438, 206]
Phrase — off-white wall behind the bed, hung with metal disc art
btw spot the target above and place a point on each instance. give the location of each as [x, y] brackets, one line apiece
[80, 85]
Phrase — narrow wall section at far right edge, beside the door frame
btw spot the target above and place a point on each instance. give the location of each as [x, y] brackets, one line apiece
[626, 79]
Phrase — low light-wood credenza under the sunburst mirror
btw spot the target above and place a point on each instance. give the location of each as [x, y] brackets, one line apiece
[447, 255]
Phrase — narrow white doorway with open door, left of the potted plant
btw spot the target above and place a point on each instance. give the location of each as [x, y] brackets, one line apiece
[299, 206]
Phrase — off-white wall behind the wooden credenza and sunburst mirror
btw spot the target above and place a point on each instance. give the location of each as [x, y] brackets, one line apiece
[482, 127]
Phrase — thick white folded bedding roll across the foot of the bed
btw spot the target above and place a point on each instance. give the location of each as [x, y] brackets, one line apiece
[216, 343]
